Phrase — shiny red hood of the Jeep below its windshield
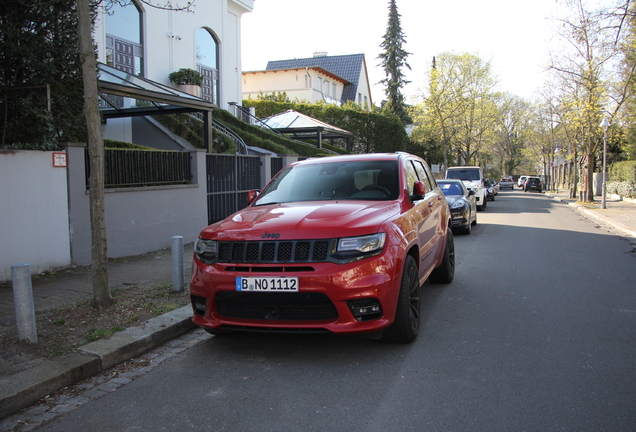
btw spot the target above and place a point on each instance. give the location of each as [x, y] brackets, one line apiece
[304, 220]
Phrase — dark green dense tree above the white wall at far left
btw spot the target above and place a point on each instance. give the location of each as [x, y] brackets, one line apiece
[40, 74]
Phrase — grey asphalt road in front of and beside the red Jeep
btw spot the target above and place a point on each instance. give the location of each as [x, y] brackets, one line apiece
[536, 333]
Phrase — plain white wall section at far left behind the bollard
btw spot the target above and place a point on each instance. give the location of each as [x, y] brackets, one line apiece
[34, 221]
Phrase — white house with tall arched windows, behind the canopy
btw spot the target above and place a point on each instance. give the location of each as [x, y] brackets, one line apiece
[152, 42]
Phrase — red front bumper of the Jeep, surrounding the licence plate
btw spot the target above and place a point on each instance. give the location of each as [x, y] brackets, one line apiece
[328, 293]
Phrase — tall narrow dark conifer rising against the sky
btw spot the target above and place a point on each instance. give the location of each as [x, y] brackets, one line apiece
[393, 61]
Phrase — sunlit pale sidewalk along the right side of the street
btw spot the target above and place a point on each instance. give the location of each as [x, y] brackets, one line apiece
[618, 215]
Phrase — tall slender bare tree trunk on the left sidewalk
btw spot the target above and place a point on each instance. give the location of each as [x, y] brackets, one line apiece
[99, 257]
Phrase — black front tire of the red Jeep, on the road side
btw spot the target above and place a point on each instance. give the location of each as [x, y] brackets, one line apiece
[407, 314]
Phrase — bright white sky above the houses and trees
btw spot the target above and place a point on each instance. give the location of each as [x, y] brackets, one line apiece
[513, 35]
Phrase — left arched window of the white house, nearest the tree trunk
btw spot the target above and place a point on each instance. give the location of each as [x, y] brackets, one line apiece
[124, 42]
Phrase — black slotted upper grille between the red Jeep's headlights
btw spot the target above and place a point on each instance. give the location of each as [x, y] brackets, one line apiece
[287, 251]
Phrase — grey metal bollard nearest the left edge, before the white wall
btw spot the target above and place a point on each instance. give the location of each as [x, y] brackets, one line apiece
[23, 300]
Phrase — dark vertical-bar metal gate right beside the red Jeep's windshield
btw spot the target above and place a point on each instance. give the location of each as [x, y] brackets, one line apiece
[230, 178]
